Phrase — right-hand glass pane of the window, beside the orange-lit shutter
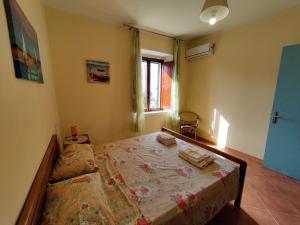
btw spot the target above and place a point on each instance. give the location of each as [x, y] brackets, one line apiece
[155, 84]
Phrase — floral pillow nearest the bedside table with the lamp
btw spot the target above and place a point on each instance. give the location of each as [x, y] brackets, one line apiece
[75, 160]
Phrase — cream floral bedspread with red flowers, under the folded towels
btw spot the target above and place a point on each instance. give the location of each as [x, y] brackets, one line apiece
[164, 188]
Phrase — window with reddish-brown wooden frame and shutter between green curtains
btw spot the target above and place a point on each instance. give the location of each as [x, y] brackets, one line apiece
[157, 80]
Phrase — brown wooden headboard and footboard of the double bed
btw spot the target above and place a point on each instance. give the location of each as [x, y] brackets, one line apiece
[34, 203]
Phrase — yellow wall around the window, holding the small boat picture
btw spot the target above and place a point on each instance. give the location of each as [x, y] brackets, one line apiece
[102, 110]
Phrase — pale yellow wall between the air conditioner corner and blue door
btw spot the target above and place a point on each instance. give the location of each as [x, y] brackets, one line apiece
[239, 80]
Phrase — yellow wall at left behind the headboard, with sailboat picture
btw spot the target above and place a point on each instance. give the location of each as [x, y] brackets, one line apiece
[27, 116]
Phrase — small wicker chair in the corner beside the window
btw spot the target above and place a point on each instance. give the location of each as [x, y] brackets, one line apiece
[188, 123]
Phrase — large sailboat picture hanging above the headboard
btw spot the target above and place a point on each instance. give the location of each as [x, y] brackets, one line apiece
[24, 43]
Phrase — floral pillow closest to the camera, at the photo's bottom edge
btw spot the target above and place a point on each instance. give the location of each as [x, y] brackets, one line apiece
[77, 201]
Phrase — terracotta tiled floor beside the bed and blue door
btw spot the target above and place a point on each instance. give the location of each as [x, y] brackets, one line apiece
[269, 198]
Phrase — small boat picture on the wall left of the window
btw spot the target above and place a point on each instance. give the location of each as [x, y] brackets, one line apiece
[97, 71]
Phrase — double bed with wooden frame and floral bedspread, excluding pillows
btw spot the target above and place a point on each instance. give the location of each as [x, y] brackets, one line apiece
[154, 184]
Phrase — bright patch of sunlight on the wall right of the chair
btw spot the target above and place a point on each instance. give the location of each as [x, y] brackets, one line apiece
[219, 129]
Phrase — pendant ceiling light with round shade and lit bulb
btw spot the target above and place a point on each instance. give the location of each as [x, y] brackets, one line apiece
[214, 11]
